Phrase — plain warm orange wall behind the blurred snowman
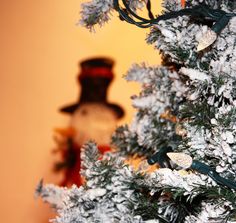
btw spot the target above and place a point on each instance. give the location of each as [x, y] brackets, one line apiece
[40, 47]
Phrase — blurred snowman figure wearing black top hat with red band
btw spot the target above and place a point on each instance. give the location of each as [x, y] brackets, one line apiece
[92, 117]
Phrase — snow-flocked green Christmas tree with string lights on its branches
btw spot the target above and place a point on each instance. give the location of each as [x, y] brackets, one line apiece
[185, 124]
